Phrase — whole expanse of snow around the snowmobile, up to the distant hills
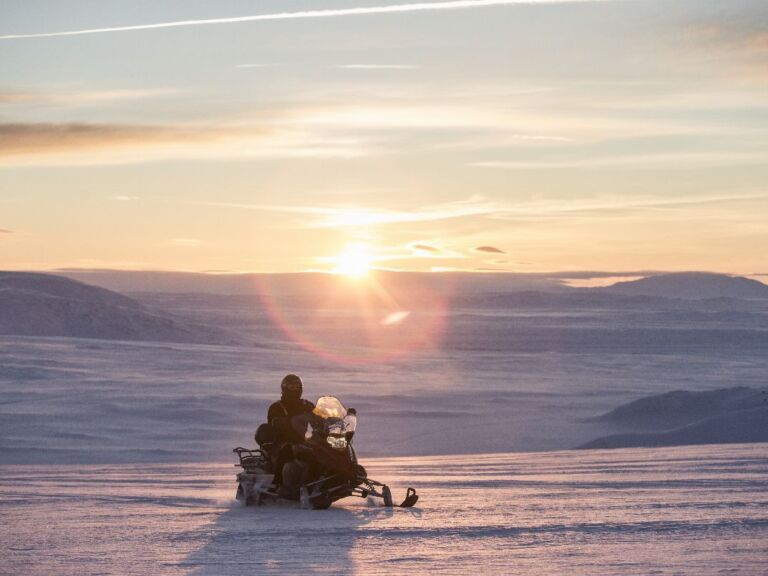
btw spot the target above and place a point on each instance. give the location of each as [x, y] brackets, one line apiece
[115, 456]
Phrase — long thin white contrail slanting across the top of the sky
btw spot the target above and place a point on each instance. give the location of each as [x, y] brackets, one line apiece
[329, 13]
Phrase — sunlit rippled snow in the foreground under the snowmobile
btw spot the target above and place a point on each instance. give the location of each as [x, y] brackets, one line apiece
[694, 510]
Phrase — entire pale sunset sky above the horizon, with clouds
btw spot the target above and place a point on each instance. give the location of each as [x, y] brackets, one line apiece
[281, 136]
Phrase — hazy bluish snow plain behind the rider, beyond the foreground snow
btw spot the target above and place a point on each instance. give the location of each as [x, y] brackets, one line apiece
[93, 401]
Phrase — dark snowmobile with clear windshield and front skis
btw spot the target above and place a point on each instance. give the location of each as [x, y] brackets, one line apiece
[321, 469]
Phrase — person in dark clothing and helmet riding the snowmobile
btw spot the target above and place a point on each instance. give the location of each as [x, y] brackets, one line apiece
[279, 418]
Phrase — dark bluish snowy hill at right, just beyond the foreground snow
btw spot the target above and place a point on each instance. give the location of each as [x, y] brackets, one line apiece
[682, 417]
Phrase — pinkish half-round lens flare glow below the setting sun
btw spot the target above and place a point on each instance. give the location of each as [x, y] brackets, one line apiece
[379, 317]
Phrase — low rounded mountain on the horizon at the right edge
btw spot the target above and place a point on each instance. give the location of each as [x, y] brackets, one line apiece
[691, 285]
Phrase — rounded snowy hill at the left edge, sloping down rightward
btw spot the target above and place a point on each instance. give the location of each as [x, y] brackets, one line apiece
[45, 305]
